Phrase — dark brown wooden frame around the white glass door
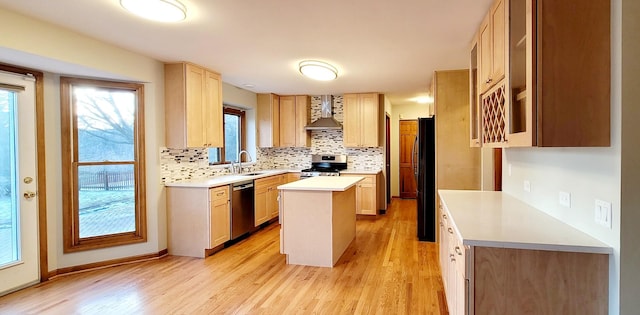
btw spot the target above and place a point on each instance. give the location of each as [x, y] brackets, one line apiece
[41, 170]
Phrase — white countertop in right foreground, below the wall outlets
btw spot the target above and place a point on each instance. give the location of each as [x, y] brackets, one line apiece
[496, 219]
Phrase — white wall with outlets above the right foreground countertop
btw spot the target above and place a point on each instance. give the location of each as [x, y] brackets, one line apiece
[586, 173]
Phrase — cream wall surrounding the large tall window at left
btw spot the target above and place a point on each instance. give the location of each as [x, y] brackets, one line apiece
[55, 51]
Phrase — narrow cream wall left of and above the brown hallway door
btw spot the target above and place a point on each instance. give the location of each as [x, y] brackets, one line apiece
[402, 112]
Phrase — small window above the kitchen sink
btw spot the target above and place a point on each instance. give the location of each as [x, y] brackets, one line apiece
[233, 138]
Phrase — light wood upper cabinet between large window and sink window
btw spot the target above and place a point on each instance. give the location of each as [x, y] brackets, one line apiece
[193, 106]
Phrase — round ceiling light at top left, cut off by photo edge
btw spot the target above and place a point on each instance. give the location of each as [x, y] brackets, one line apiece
[156, 10]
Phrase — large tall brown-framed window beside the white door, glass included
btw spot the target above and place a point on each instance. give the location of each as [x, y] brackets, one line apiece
[103, 170]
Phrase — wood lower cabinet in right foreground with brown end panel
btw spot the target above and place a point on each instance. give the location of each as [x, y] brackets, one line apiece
[498, 280]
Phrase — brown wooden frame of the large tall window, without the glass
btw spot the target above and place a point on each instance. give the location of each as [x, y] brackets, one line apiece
[69, 139]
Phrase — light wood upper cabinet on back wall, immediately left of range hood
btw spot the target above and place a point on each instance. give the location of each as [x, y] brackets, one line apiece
[295, 114]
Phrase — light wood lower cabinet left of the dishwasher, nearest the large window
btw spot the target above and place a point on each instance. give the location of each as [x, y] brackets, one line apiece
[198, 219]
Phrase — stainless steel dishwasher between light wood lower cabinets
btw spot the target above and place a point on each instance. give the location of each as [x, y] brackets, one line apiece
[242, 213]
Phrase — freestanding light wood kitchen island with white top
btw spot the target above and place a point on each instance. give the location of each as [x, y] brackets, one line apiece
[318, 219]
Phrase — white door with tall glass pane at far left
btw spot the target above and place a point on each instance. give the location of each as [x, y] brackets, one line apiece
[19, 263]
